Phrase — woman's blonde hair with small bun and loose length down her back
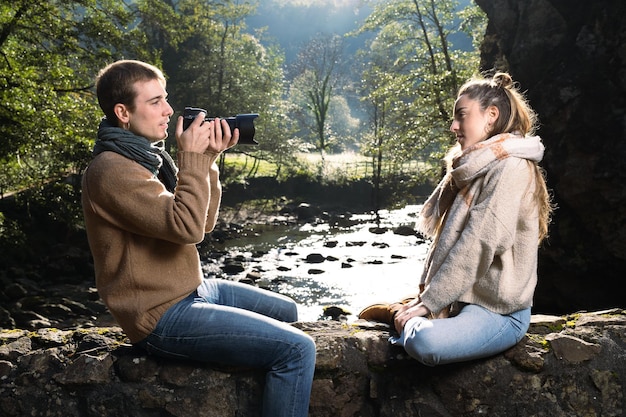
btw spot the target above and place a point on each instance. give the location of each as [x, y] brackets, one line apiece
[515, 116]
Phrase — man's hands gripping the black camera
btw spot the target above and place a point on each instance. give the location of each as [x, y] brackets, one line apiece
[205, 137]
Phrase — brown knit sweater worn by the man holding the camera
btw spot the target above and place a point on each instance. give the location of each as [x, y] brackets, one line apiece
[143, 238]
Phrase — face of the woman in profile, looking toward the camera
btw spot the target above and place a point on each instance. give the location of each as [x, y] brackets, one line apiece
[472, 124]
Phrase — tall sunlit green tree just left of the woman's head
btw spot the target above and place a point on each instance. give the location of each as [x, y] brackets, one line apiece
[414, 75]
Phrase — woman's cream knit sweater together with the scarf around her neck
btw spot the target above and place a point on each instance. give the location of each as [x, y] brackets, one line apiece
[486, 251]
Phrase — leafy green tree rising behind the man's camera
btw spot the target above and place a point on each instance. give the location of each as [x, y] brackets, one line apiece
[213, 63]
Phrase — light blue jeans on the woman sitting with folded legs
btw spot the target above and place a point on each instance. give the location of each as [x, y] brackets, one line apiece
[474, 333]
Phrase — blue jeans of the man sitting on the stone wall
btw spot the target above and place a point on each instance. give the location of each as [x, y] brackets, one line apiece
[238, 324]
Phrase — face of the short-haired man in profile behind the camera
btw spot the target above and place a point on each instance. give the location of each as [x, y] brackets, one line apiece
[152, 111]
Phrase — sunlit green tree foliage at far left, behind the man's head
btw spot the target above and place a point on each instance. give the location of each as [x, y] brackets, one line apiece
[50, 54]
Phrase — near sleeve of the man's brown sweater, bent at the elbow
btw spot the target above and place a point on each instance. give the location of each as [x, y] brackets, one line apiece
[127, 195]
